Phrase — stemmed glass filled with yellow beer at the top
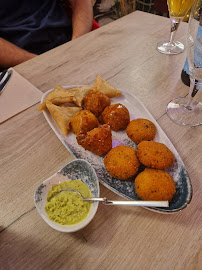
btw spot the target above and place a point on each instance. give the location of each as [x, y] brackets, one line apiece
[177, 10]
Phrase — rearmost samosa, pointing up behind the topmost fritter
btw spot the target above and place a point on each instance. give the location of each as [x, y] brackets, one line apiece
[106, 88]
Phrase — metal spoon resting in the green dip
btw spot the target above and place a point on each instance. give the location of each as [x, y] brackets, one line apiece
[109, 202]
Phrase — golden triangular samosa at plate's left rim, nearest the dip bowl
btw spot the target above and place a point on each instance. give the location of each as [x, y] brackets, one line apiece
[62, 115]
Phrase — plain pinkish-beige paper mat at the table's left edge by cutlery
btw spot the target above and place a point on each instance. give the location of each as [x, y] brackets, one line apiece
[18, 95]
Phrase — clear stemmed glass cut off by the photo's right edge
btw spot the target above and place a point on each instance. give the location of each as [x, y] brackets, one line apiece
[187, 110]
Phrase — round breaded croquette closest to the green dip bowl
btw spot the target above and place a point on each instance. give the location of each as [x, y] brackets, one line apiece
[121, 162]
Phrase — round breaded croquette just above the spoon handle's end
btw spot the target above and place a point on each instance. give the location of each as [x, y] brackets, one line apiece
[155, 185]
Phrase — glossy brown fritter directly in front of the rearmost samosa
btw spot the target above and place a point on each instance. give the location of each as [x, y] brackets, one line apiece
[96, 102]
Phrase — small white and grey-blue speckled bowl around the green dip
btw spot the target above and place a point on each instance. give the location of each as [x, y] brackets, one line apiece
[76, 169]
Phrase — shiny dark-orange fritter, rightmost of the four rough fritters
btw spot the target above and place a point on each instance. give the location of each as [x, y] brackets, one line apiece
[116, 115]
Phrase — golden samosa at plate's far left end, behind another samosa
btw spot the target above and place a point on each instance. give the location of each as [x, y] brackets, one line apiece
[57, 96]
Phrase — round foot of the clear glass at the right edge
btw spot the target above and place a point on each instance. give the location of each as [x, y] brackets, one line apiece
[179, 112]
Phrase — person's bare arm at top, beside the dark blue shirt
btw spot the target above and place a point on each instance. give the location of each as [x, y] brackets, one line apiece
[82, 17]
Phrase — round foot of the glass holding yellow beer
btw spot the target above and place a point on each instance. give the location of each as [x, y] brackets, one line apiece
[170, 48]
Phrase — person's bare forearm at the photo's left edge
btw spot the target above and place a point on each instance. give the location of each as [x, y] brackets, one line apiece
[11, 55]
